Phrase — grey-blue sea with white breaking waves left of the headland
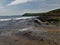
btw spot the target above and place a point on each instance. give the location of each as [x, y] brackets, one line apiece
[15, 22]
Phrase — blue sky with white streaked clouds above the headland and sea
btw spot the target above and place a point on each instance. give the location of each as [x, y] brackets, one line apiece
[19, 7]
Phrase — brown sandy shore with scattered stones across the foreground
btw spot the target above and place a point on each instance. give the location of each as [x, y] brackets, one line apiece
[45, 38]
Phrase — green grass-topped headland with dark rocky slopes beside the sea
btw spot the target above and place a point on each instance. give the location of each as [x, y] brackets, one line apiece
[51, 17]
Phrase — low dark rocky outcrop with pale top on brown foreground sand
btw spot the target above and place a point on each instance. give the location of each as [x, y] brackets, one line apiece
[41, 35]
